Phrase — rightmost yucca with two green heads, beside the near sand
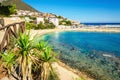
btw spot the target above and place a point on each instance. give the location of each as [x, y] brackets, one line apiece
[46, 58]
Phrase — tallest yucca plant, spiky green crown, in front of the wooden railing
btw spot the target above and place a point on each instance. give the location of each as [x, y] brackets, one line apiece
[25, 55]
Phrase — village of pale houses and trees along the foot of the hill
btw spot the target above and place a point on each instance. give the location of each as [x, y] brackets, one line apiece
[37, 18]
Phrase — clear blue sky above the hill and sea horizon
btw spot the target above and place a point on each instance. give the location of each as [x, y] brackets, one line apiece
[81, 10]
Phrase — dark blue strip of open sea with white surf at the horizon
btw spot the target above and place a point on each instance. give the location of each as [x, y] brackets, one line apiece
[102, 24]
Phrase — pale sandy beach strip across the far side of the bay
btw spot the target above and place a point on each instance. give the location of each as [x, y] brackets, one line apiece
[84, 29]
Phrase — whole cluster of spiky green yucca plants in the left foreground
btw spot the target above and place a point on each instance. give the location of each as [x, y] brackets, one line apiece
[29, 57]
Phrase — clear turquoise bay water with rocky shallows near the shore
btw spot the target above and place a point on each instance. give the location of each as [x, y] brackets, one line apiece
[95, 53]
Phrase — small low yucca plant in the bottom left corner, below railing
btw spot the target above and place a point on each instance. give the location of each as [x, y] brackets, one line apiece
[8, 60]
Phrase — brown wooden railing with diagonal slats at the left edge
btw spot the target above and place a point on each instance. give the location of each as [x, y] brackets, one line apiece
[11, 29]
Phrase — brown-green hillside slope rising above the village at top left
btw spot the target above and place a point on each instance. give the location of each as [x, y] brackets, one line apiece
[19, 4]
